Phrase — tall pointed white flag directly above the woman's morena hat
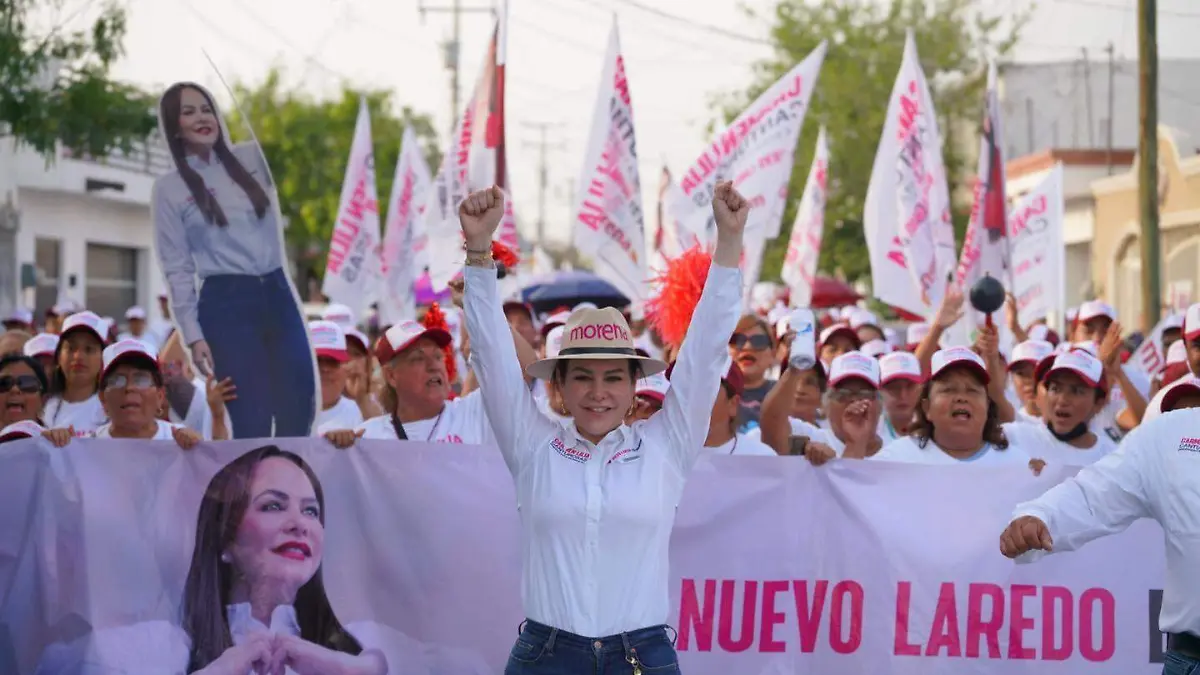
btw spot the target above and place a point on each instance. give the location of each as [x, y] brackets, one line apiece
[608, 218]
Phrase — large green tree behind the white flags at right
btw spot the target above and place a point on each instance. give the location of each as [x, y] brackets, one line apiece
[955, 39]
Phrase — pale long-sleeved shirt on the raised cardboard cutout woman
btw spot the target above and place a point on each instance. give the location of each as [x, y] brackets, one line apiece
[190, 247]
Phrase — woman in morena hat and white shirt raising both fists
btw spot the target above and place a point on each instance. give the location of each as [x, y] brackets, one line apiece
[598, 498]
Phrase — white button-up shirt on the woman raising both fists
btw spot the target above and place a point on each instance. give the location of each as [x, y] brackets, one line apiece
[596, 521]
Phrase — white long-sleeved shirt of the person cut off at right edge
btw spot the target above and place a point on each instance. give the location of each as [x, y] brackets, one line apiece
[1154, 474]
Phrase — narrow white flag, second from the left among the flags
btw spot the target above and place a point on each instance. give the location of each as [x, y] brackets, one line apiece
[405, 241]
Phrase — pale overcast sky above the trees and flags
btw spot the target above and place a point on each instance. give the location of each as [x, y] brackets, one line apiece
[555, 53]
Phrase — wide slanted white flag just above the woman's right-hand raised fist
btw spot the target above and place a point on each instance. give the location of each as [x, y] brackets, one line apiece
[757, 153]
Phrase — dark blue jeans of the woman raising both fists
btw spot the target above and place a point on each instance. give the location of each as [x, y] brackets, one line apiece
[542, 650]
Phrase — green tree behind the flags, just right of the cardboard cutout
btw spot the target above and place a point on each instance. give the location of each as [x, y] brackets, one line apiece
[308, 142]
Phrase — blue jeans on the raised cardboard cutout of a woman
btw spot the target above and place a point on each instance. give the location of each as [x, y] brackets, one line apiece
[261, 341]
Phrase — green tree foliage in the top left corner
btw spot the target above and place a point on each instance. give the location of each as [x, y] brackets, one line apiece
[57, 87]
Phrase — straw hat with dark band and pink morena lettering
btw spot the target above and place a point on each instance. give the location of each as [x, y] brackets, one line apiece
[592, 334]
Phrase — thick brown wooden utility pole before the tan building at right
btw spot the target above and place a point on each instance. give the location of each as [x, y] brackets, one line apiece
[1148, 164]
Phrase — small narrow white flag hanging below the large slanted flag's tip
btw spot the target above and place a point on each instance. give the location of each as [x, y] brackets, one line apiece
[805, 247]
